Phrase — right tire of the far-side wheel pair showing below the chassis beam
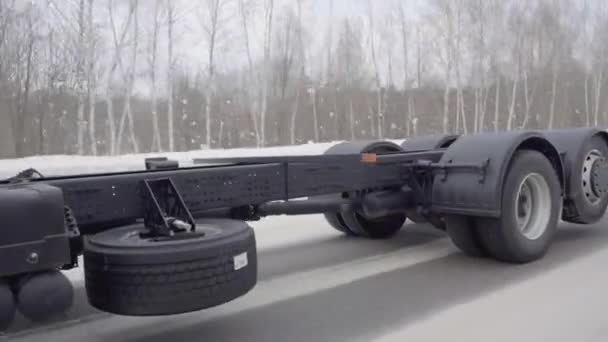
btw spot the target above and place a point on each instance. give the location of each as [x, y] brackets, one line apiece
[380, 228]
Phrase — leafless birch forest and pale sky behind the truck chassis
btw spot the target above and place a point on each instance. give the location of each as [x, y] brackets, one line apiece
[107, 77]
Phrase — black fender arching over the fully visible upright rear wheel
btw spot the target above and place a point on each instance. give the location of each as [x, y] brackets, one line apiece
[468, 191]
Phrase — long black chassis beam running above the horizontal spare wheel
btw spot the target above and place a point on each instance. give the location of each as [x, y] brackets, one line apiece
[103, 201]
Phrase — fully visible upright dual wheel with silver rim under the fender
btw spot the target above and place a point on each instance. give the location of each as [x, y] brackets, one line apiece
[531, 204]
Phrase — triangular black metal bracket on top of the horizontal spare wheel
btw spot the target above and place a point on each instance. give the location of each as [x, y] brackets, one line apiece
[165, 212]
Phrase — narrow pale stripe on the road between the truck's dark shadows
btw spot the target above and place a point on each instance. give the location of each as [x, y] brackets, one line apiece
[265, 293]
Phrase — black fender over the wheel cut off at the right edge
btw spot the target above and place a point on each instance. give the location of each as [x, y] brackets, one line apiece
[571, 143]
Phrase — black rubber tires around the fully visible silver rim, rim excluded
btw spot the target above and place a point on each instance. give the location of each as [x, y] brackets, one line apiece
[501, 236]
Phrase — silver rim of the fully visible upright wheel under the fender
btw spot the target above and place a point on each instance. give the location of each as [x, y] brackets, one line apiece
[533, 206]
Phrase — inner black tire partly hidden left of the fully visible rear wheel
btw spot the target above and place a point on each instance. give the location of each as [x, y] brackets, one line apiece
[464, 235]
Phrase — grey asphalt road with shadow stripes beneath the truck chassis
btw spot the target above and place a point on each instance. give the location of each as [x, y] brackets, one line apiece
[316, 285]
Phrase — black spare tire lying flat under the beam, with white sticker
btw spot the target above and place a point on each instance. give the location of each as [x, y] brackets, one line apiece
[128, 275]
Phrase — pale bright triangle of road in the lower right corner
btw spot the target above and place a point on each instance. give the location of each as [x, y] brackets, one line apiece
[565, 304]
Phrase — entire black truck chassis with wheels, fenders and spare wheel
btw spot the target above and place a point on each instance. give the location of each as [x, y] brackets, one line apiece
[170, 240]
